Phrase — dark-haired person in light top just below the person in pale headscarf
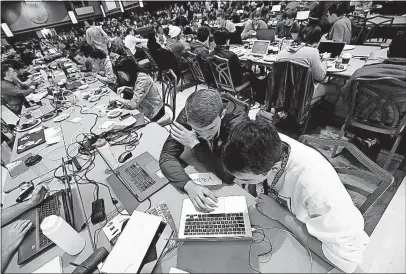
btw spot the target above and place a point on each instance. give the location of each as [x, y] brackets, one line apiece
[106, 74]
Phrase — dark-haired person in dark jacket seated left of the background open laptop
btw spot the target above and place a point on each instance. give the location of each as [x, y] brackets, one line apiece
[237, 69]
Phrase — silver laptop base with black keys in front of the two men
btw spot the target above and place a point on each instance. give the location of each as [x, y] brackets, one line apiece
[228, 221]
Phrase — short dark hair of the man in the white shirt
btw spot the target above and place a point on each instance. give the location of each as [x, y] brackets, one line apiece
[252, 147]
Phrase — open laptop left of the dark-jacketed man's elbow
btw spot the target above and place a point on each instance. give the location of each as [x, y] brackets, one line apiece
[141, 176]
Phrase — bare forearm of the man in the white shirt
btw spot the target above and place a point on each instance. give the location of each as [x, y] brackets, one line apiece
[299, 229]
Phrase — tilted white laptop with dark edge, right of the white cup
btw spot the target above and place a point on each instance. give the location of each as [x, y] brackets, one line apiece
[139, 246]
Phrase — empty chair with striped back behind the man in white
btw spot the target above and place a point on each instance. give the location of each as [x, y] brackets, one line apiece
[352, 176]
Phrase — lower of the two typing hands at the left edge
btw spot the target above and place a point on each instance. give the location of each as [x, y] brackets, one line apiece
[15, 235]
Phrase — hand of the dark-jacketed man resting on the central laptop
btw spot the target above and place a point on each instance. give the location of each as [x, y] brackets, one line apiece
[203, 199]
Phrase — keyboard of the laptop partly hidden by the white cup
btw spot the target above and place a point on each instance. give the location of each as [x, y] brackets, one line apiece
[49, 207]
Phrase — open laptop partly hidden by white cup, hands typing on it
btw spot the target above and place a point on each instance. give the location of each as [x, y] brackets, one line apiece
[60, 204]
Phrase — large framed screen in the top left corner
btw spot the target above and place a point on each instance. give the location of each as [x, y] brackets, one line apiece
[21, 16]
